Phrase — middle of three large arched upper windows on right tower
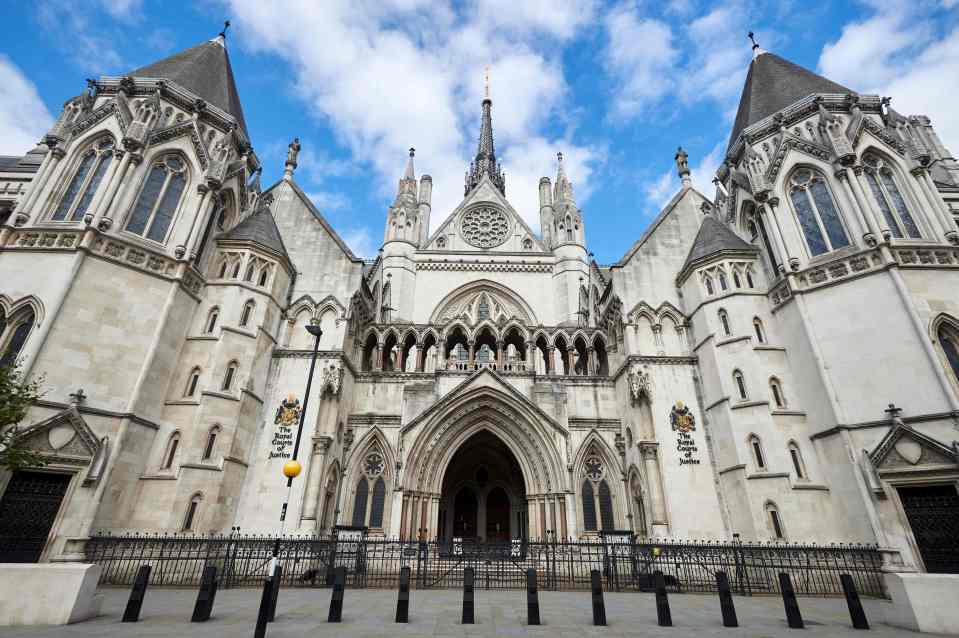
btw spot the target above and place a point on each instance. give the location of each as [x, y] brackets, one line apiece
[817, 212]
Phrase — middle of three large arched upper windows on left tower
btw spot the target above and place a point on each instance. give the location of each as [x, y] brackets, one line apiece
[159, 198]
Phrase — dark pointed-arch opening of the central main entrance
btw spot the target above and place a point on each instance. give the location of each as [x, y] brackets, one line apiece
[484, 494]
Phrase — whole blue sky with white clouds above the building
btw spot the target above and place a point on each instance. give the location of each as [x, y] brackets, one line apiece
[615, 86]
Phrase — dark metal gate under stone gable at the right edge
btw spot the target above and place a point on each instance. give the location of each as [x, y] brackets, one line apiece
[933, 513]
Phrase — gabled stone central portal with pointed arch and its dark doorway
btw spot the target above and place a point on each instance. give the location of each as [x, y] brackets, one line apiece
[505, 421]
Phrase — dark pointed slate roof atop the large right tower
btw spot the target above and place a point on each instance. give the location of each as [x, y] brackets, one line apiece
[772, 84]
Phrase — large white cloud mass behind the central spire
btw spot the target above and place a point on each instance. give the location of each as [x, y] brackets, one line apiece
[410, 73]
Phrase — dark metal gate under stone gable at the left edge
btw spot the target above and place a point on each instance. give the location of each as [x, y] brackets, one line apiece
[27, 511]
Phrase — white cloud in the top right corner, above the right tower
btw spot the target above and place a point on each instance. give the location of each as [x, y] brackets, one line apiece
[898, 52]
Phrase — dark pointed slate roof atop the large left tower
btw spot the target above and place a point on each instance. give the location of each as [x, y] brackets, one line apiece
[205, 70]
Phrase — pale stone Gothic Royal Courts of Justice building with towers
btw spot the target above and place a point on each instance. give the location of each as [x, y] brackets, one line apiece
[780, 361]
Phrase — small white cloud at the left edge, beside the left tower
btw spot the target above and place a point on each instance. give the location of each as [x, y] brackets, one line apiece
[24, 117]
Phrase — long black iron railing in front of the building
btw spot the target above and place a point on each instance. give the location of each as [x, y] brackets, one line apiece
[242, 561]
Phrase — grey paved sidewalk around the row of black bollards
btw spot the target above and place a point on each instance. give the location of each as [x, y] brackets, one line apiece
[302, 612]
